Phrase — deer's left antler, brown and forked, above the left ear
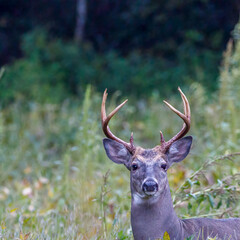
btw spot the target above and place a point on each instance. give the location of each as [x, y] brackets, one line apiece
[106, 119]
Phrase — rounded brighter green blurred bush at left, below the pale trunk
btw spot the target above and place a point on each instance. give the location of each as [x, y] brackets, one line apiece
[48, 67]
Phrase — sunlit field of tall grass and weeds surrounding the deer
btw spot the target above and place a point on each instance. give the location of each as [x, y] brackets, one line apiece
[57, 183]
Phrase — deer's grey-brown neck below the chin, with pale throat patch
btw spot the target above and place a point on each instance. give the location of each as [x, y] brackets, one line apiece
[152, 217]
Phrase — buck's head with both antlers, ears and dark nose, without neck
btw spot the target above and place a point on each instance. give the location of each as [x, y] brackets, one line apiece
[148, 167]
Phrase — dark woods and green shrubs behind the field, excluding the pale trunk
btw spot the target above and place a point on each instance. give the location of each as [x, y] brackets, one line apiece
[131, 46]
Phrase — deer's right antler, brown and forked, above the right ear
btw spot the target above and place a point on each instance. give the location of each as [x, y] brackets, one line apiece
[186, 117]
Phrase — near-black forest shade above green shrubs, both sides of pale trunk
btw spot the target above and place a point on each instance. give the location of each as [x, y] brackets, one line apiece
[151, 26]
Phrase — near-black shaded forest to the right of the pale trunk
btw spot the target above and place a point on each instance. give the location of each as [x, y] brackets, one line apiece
[160, 25]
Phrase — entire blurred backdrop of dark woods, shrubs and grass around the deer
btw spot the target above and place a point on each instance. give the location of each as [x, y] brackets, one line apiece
[58, 56]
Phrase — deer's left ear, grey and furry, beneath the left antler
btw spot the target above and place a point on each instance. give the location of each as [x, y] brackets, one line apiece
[117, 152]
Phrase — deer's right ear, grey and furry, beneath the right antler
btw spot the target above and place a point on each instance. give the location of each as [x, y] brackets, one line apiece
[179, 150]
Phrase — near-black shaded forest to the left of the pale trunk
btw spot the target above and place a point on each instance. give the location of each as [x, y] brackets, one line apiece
[19, 17]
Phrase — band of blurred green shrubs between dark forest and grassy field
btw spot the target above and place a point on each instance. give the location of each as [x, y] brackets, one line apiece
[53, 70]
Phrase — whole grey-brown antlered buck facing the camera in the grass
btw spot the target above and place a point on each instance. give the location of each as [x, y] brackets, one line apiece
[152, 211]
